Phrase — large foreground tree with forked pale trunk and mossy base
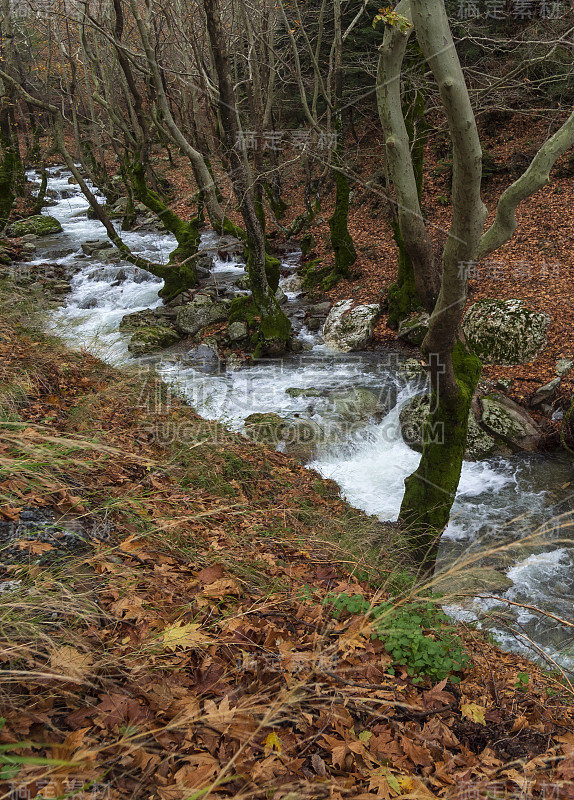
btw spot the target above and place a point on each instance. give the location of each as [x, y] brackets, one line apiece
[454, 368]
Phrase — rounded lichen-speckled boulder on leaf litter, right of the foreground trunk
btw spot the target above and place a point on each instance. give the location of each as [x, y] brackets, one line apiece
[505, 332]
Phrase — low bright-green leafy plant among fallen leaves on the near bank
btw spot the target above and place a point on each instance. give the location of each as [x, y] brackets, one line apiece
[418, 635]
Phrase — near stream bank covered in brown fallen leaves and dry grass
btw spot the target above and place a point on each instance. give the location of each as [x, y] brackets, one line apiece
[170, 625]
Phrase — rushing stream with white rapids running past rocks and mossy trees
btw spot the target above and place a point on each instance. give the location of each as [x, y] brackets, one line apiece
[512, 514]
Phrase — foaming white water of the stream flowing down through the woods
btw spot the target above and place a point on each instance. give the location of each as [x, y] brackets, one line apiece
[517, 508]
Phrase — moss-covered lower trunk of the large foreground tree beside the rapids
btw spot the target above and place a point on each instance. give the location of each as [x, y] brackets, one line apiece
[430, 491]
